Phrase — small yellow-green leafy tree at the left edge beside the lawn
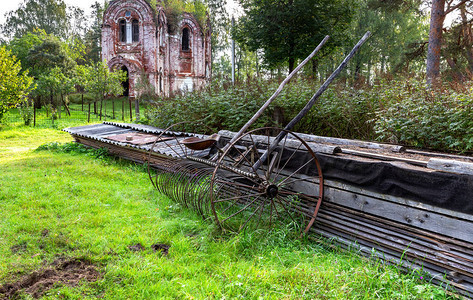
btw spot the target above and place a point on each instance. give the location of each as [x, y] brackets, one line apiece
[14, 85]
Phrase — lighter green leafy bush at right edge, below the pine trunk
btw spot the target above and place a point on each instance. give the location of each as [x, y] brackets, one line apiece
[430, 119]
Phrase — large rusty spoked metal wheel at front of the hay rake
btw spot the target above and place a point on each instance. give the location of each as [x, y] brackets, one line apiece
[243, 197]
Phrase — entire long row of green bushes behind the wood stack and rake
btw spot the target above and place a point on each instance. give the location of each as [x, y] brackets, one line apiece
[397, 111]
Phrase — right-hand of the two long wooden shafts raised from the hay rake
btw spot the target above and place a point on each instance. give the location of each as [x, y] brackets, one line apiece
[311, 102]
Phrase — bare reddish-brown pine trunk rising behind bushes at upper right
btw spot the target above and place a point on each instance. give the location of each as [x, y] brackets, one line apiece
[437, 17]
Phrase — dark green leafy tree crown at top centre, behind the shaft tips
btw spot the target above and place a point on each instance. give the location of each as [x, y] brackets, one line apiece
[288, 30]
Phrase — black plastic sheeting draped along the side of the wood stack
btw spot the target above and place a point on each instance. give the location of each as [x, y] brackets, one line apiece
[446, 190]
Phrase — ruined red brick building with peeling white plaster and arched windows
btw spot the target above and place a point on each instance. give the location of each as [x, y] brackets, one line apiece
[138, 39]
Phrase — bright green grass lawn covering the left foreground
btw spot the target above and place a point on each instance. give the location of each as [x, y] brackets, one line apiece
[68, 204]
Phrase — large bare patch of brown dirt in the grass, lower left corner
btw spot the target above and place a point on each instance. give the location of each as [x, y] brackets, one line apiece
[68, 272]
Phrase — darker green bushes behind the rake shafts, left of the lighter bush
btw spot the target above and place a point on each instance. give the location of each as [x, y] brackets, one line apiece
[339, 112]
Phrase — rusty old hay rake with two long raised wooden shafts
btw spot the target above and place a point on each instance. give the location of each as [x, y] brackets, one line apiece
[247, 178]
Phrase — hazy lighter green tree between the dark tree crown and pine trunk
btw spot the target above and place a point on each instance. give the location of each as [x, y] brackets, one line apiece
[396, 28]
